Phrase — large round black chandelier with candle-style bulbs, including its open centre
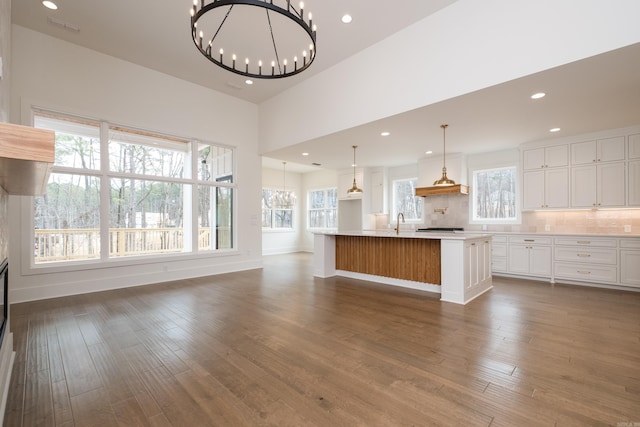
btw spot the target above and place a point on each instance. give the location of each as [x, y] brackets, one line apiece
[265, 39]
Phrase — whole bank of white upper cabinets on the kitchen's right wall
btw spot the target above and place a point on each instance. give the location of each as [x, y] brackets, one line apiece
[602, 171]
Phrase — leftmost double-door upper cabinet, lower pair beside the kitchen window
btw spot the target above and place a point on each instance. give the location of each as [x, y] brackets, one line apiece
[548, 188]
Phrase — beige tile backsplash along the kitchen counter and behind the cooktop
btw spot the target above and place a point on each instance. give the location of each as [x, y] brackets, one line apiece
[570, 222]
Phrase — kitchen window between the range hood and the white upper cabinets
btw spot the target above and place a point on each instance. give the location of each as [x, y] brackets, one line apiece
[494, 196]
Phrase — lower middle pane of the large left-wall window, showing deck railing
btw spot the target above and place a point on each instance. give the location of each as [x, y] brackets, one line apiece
[146, 217]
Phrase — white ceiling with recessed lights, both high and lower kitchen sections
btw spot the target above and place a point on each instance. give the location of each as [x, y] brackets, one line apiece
[594, 94]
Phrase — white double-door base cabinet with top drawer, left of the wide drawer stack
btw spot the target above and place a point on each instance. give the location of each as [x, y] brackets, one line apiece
[530, 255]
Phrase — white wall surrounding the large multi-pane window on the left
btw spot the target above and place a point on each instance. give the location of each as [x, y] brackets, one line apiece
[53, 74]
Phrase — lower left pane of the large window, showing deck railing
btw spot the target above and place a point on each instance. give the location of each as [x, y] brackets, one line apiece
[67, 219]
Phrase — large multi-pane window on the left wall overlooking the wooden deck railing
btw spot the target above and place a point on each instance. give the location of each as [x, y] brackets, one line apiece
[120, 192]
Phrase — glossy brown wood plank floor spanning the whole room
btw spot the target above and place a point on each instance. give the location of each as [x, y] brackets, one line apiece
[277, 347]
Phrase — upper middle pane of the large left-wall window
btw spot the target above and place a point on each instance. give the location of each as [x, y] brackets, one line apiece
[146, 154]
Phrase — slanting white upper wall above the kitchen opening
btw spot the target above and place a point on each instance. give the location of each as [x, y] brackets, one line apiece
[465, 47]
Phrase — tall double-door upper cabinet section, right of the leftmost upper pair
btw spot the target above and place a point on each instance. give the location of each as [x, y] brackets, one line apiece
[600, 185]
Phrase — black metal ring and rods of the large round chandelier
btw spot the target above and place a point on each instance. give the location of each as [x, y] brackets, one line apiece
[289, 12]
